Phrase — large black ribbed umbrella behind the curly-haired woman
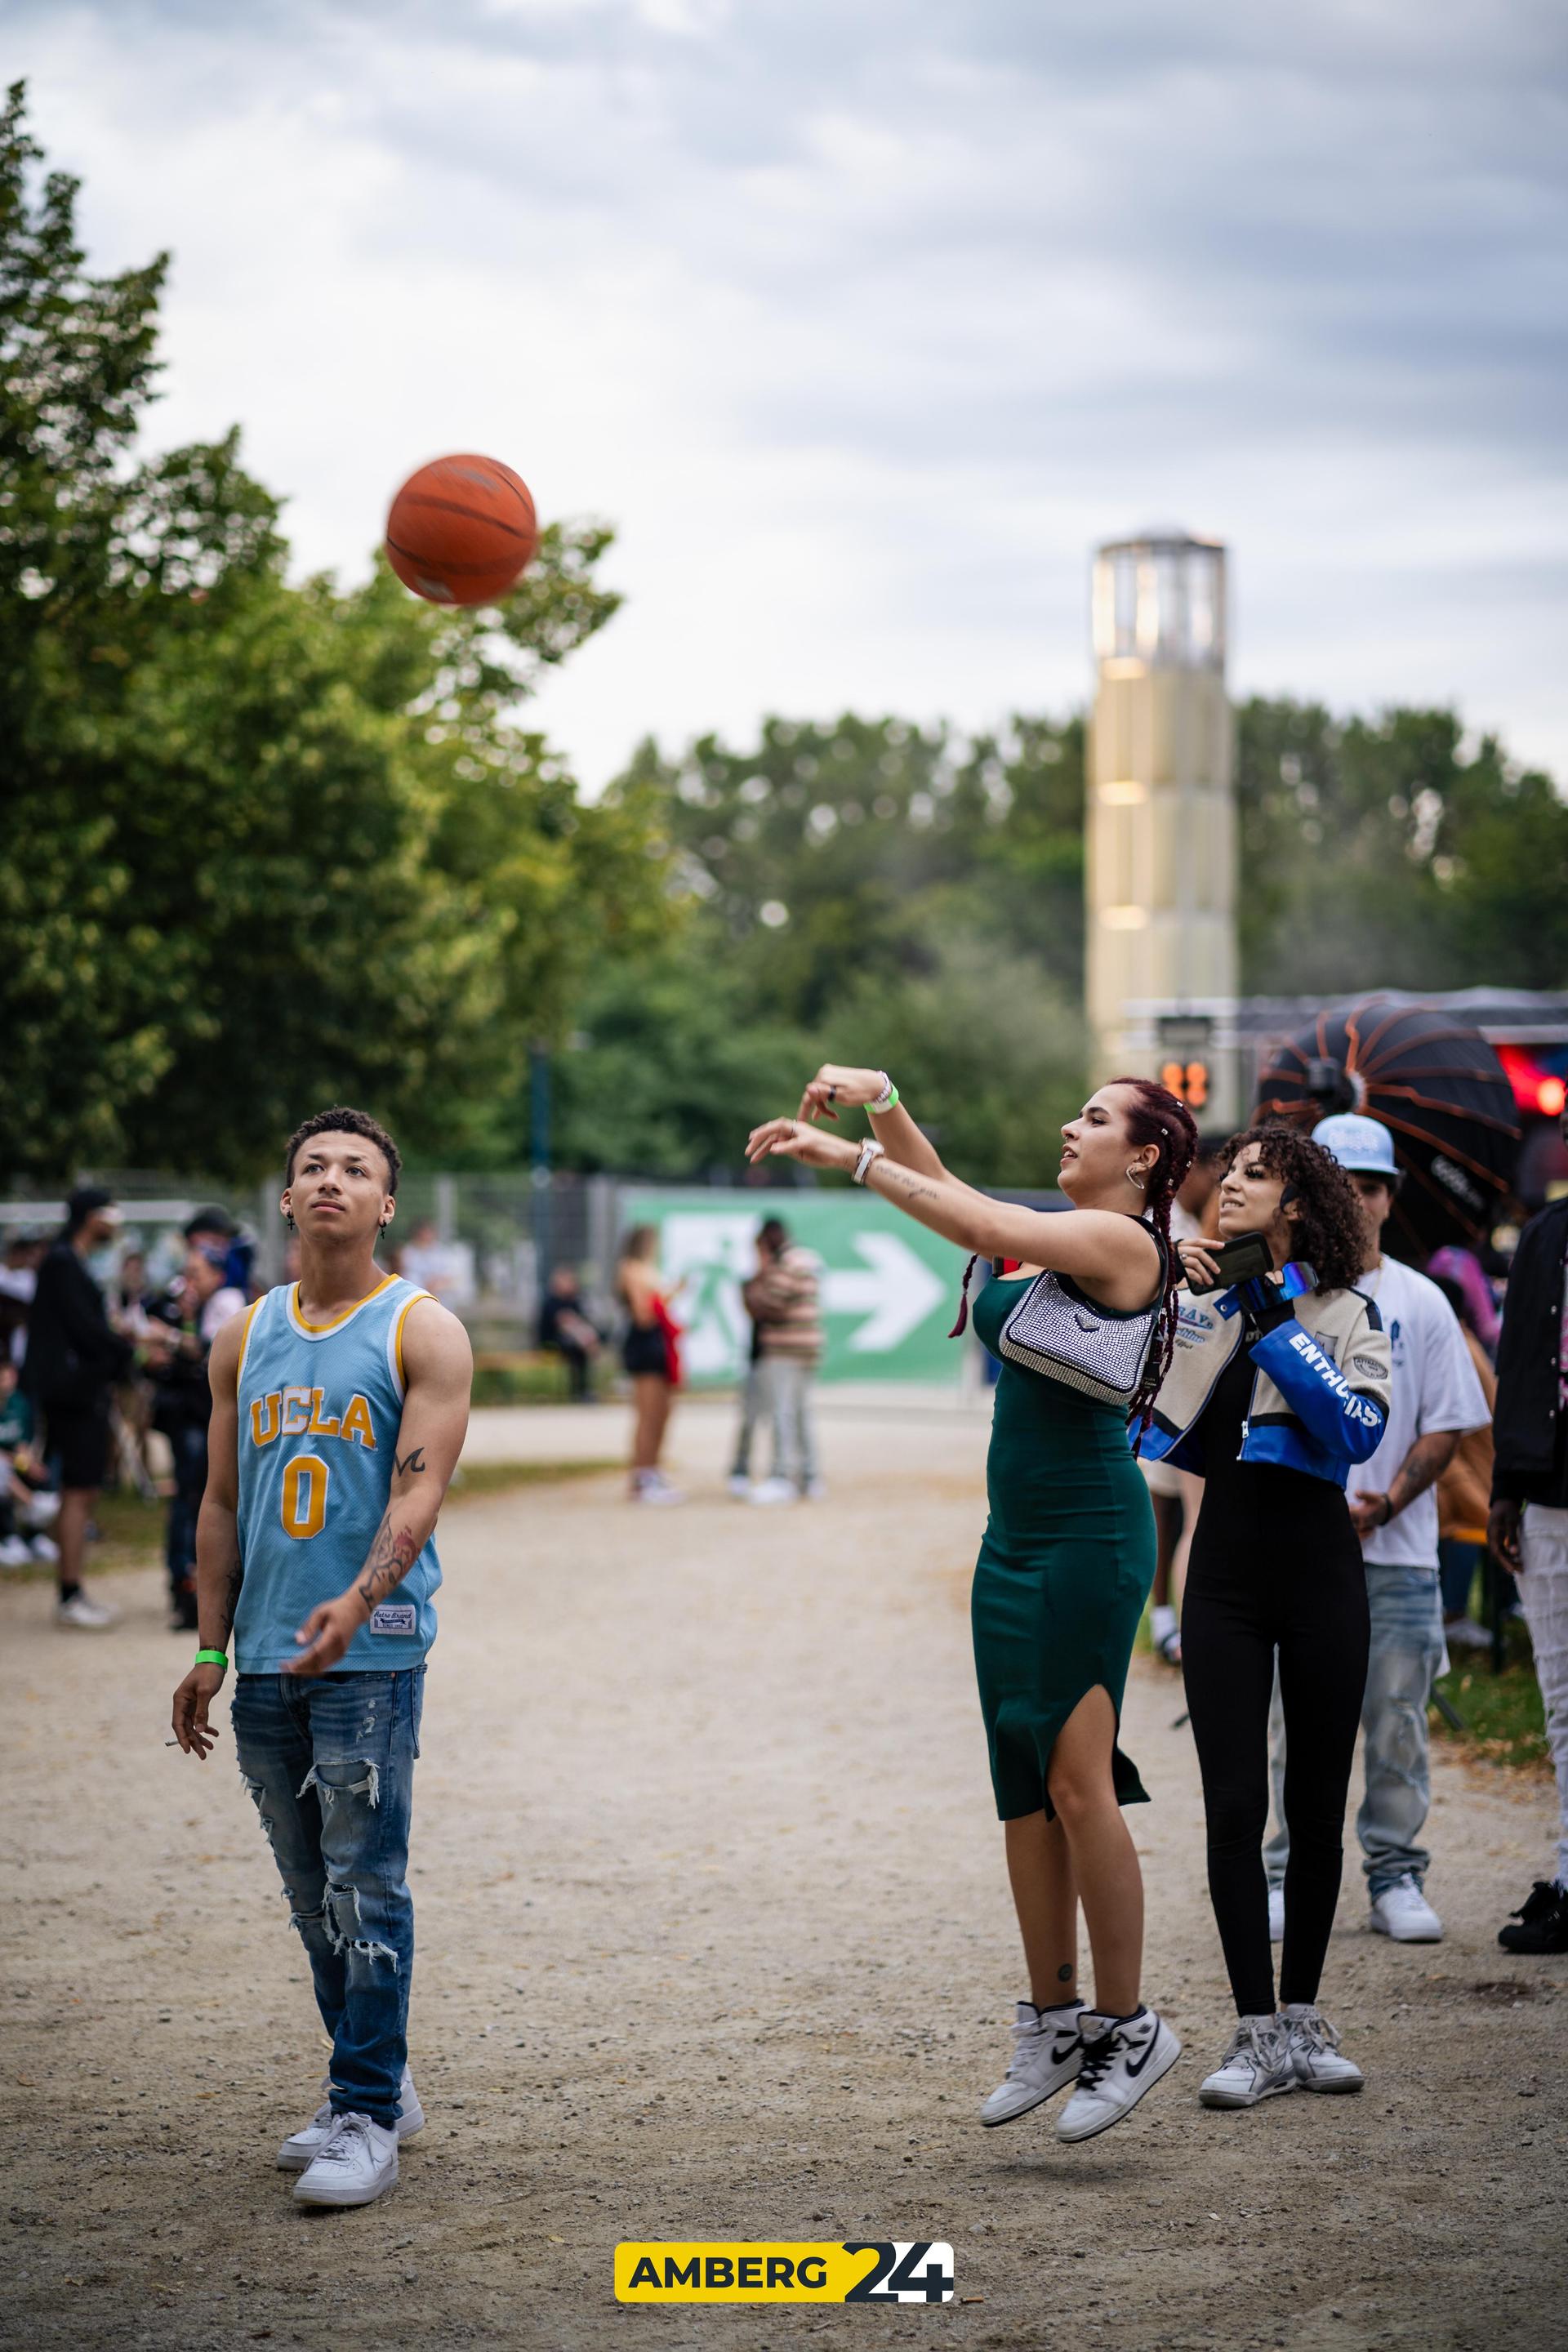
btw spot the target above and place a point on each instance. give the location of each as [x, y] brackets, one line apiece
[1435, 1085]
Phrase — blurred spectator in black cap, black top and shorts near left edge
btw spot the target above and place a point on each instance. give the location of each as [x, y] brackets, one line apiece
[72, 1365]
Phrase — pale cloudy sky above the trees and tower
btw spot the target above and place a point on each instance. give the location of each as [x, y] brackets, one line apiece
[866, 319]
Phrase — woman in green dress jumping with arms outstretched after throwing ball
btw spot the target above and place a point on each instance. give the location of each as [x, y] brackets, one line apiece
[1085, 1332]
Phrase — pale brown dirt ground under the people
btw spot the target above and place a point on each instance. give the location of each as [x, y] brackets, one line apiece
[713, 1942]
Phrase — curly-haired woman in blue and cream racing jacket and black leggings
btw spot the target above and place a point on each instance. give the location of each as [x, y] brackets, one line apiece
[1278, 1387]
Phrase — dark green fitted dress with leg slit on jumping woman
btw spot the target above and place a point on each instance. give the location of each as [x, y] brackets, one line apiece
[1064, 1572]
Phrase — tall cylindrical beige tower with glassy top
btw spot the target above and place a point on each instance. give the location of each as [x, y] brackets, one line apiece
[1160, 822]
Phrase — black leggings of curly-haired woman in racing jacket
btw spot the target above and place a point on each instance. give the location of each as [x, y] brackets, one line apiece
[1242, 1603]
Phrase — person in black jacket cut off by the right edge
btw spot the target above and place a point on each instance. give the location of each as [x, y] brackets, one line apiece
[1529, 1521]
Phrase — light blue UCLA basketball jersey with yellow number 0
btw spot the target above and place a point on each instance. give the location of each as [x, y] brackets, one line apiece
[319, 1431]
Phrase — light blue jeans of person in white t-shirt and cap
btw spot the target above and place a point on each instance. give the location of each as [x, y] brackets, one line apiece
[1407, 1612]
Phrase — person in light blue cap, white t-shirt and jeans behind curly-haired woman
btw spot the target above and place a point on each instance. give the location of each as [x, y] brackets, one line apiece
[1393, 1504]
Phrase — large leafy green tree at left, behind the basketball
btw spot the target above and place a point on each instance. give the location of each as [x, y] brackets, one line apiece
[269, 846]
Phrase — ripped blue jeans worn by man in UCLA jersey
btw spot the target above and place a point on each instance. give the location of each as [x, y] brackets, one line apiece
[330, 1768]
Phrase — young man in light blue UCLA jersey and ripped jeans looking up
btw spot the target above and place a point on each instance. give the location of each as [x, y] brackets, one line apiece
[340, 1408]
